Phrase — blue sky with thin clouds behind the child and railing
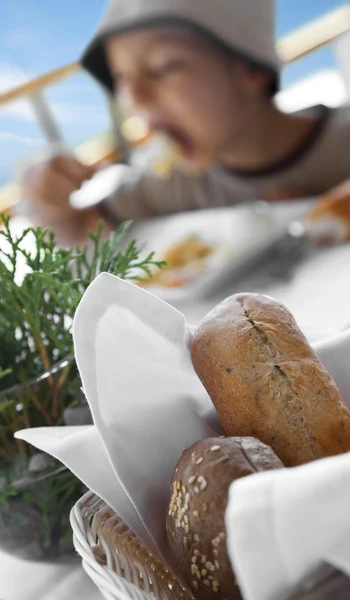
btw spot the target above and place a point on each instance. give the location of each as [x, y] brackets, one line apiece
[40, 35]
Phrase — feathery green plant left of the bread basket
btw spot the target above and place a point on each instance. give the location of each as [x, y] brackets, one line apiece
[41, 286]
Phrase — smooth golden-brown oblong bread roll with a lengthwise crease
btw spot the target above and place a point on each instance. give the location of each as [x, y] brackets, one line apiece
[266, 381]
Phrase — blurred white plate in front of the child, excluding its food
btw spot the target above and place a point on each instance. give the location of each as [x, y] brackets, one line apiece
[238, 234]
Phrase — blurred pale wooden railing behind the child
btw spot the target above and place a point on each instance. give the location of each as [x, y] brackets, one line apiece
[293, 46]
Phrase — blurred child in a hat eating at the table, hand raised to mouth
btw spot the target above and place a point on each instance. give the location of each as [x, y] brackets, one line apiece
[204, 72]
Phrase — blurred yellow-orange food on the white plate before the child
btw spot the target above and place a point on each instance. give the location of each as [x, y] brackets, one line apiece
[185, 260]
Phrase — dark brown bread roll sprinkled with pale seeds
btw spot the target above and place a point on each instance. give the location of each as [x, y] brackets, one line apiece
[195, 521]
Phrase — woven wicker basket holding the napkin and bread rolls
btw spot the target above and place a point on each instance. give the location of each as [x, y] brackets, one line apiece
[117, 561]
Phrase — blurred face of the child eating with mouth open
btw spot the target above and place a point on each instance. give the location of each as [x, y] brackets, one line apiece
[182, 84]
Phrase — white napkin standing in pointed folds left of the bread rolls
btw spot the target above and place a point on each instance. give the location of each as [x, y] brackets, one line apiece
[132, 350]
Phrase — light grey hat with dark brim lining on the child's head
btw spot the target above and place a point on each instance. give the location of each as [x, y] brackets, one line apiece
[244, 27]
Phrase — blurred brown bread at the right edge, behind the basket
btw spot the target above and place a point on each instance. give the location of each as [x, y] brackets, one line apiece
[329, 220]
